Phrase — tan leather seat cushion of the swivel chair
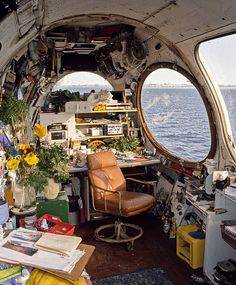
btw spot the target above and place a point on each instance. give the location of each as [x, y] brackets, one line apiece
[132, 203]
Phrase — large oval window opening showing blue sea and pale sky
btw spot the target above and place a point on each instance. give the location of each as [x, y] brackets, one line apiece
[175, 114]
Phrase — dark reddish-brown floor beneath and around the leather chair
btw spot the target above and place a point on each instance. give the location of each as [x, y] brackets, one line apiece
[153, 249]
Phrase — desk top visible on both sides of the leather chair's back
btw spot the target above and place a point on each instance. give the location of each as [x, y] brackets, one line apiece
[125, 163]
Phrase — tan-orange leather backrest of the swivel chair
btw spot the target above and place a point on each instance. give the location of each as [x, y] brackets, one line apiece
[104, 173]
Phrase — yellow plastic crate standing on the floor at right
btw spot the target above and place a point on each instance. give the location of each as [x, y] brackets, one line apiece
[188, 248]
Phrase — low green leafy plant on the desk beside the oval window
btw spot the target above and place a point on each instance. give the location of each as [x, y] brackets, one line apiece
[125, 144]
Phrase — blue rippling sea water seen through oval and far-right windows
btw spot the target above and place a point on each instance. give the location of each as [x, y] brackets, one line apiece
[178, 120]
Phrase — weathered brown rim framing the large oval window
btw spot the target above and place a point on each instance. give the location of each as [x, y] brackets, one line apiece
[160, 148]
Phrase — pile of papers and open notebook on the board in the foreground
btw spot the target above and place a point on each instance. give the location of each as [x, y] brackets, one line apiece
[24, 246]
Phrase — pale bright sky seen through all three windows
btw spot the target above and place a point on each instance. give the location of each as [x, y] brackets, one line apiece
[219, 55]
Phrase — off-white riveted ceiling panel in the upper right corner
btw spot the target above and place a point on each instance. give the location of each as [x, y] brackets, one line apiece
[187, 18]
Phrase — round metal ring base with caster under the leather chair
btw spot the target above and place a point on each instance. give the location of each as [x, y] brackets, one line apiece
[119, 233]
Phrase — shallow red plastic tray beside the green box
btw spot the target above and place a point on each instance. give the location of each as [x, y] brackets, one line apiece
[56, 226]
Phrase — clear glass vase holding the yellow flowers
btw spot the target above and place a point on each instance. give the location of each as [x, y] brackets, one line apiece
[24, 196]
